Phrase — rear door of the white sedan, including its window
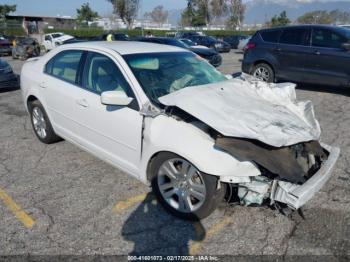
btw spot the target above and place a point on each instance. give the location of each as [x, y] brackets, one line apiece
[59, 87]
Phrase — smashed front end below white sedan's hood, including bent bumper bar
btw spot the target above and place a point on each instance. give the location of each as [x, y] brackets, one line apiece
[291, 175]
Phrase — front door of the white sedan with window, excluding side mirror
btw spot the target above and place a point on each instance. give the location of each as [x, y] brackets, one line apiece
[114, 132]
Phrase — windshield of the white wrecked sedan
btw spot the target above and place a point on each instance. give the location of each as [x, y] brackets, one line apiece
[160, 74]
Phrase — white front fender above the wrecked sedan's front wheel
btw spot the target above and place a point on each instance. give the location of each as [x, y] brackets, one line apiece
[162, 134]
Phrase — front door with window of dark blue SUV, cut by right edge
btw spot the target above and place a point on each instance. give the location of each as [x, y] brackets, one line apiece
[327, 62]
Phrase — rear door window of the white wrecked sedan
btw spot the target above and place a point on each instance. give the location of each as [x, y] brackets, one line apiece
[65, 65]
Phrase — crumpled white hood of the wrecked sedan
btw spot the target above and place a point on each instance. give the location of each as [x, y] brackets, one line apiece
[248, 108]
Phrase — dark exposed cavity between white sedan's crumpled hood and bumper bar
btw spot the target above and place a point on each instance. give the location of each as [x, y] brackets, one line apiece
[293, 163]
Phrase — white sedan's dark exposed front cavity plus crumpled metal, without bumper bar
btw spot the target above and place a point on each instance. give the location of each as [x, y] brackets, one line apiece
[292, 164]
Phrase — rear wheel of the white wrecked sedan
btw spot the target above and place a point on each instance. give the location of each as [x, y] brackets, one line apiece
[41, 123]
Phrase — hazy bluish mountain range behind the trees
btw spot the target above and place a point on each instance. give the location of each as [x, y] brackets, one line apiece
[260, 11]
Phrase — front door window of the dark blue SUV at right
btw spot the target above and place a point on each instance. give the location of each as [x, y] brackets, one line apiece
[327, 38]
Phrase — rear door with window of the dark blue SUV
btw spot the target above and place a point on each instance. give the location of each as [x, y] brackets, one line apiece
[294, 44]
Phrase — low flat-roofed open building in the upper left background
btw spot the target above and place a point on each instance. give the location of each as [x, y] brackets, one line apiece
[36, 24]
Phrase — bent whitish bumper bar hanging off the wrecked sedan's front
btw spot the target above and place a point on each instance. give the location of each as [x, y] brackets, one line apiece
[295, 196]
